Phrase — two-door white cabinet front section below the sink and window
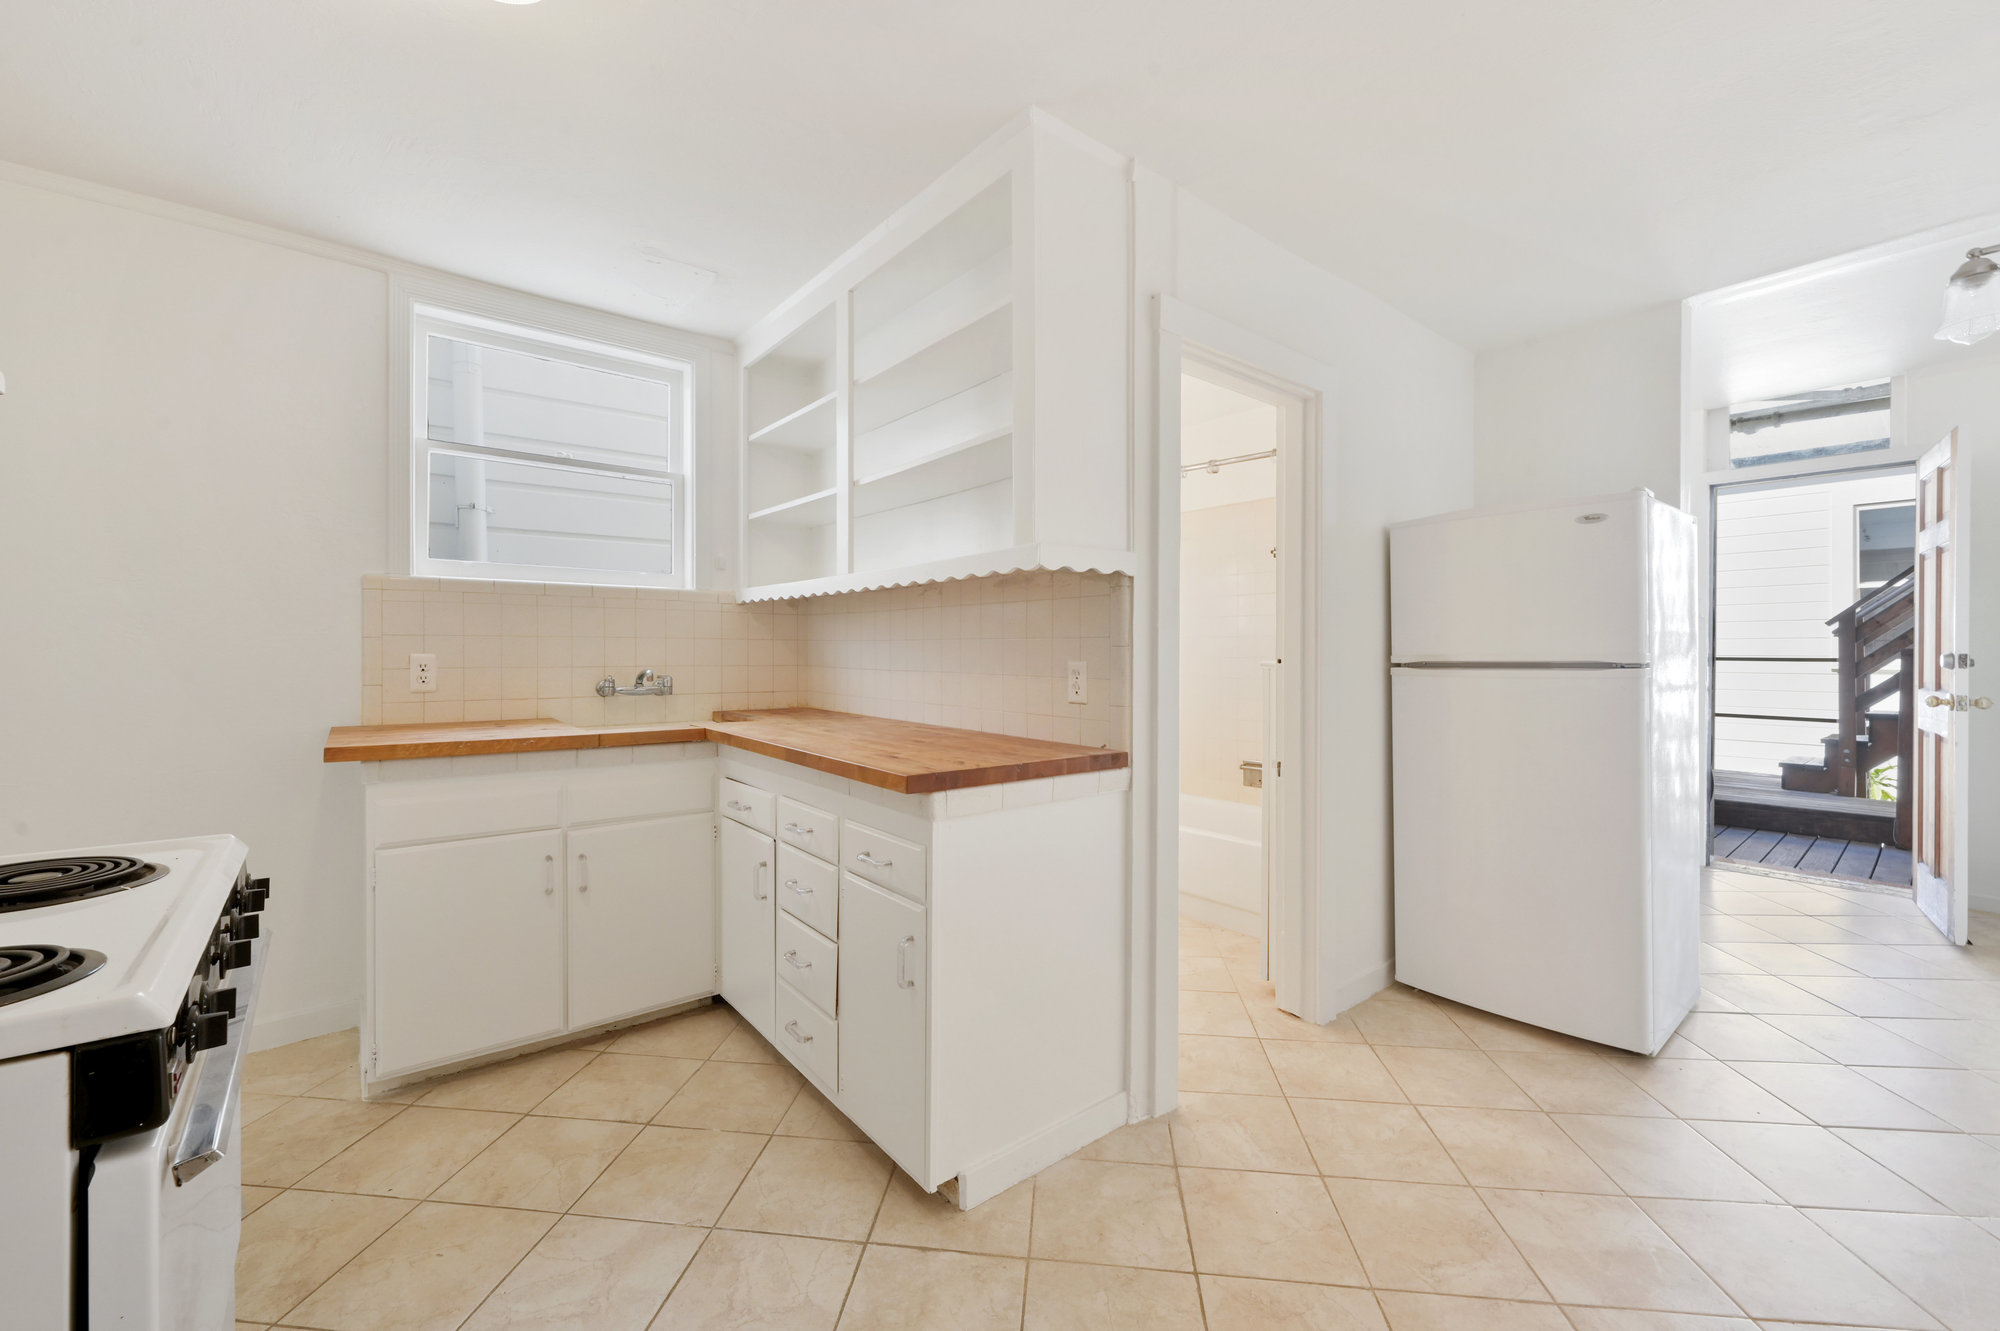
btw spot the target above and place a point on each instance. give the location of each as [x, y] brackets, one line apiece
[485, 938]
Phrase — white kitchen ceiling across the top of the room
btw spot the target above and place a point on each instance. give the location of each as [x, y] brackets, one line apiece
[1495, 169]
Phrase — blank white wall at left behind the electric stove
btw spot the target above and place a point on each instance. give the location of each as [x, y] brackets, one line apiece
[191, 491]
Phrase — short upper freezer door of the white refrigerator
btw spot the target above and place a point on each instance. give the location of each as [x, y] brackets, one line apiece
[1529, 585]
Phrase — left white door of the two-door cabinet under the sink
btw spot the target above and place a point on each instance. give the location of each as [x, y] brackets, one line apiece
[467, 948]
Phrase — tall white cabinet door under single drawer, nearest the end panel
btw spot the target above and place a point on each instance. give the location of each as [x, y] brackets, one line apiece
[883, 1002]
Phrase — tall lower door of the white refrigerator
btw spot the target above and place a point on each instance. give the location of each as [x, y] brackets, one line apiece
[1523, 880]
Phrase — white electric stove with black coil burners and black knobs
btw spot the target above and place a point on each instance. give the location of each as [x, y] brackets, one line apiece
[127, 986]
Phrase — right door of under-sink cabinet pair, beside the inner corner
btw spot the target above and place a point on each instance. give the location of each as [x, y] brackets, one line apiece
[643, 916]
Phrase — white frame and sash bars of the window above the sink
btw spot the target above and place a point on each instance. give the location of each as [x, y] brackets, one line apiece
[509, 321]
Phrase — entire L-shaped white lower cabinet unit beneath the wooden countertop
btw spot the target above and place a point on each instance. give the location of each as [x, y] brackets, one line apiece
[949, 972]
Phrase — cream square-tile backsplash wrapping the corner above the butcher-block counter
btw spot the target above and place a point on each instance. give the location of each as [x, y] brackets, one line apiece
[983, 655]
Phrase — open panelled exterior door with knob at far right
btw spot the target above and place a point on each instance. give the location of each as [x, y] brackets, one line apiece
[1943, 688]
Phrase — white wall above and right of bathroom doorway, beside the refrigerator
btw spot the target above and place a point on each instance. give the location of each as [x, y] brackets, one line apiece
[1399, 445]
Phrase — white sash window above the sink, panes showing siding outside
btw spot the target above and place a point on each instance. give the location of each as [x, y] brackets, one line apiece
[539, 457]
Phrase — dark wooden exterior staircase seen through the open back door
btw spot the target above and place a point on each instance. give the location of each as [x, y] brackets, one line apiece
[1871, 637]
